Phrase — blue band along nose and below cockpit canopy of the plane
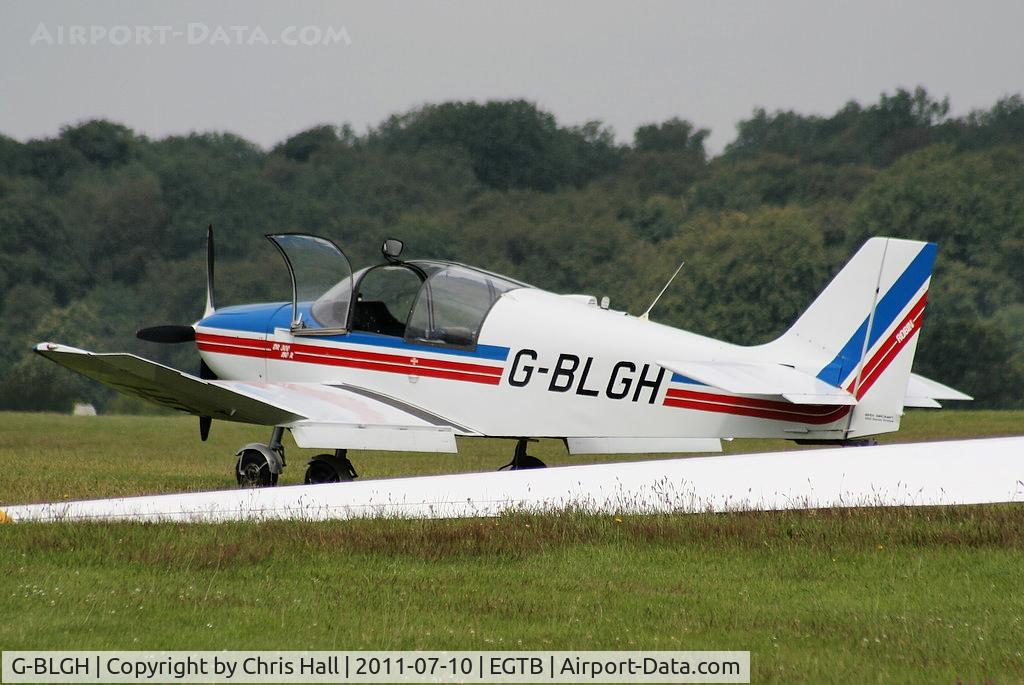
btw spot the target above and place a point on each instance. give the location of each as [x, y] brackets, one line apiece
[264, 319]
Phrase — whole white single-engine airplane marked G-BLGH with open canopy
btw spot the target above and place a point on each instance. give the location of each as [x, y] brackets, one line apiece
[407, 356]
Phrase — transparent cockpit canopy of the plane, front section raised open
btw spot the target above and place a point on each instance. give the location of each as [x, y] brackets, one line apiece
[424, 302]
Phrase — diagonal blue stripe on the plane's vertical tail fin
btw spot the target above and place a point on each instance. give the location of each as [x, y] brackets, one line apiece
[888, 309]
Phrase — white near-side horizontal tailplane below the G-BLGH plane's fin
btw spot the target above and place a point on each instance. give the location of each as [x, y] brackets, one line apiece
[762, 379]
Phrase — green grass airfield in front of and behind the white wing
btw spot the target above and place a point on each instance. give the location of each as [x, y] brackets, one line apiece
[899, 595]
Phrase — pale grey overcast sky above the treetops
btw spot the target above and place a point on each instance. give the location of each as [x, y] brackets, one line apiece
[623, 63]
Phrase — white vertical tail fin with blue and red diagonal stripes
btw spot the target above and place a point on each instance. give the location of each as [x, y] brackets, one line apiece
[862, 332]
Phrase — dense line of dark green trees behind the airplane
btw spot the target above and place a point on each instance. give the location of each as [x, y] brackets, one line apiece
[102, 229]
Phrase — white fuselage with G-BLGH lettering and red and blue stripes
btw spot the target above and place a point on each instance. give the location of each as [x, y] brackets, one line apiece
[545, 365]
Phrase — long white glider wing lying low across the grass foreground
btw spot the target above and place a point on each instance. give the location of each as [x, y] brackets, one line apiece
[961, 473]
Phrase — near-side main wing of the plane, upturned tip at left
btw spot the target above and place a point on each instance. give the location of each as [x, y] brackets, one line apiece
[319, 416]
